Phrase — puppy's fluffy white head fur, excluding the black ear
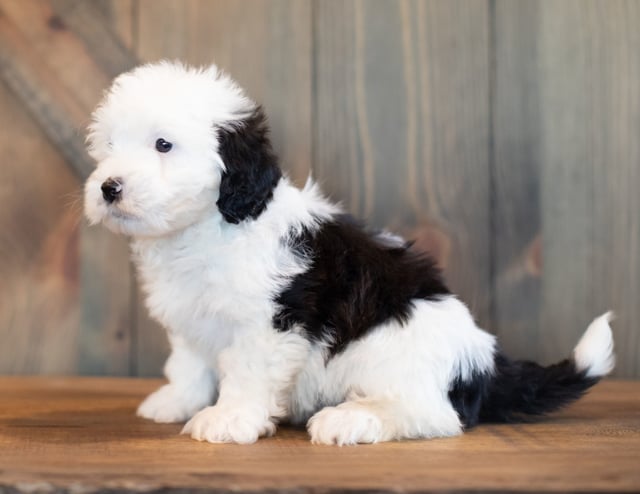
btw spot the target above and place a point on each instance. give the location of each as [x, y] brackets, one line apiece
[163, 192]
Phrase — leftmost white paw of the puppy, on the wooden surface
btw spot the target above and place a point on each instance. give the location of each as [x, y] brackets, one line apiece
[170, 404]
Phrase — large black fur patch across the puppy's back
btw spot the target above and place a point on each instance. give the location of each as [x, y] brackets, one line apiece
[355, 282]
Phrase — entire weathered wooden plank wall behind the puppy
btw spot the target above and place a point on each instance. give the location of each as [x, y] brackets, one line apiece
[499, 134]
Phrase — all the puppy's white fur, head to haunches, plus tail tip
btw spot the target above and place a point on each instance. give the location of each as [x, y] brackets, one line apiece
[212, 286]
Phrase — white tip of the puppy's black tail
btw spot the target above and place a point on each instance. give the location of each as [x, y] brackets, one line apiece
[594, 352]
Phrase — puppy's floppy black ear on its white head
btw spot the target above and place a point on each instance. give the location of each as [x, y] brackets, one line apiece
[252, 170]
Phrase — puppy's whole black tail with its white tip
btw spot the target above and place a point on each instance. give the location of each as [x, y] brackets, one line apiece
[519, 388]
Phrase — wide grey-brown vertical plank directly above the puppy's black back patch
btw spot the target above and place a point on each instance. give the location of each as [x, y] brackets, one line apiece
[401, 133]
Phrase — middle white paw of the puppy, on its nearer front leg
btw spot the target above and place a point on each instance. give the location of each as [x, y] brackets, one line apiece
[226, 424]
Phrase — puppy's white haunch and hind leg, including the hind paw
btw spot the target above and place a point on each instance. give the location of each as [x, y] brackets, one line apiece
[396, 378]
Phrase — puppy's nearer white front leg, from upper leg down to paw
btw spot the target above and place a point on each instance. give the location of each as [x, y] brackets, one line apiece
[256, 376]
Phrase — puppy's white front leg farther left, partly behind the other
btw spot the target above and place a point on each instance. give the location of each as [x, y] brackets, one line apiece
[191, 387]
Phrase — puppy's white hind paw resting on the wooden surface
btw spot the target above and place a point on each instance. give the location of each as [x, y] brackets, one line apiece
[344, 425]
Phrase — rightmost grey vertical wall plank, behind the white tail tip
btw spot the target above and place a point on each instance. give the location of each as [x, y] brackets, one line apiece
[590, 173]
